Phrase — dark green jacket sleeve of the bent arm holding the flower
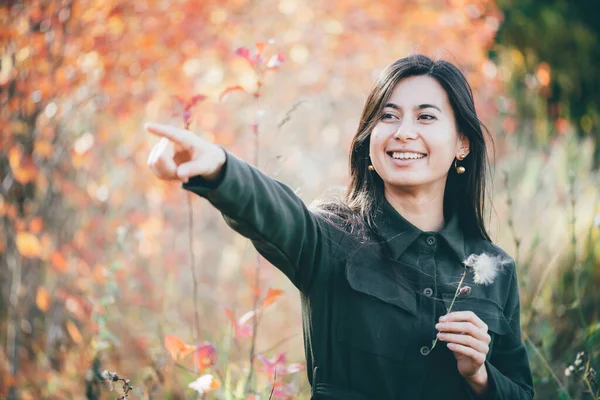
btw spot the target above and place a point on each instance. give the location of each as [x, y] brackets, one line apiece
[509, 372]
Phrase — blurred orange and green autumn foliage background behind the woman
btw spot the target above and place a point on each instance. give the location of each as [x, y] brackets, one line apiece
[103, 267]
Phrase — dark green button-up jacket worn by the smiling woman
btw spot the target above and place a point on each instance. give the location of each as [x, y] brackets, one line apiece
[369, 310]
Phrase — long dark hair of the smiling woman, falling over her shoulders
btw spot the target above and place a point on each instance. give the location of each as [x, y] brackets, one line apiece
[464, 194]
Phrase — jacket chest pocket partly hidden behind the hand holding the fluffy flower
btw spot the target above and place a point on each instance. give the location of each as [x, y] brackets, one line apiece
[488, 310]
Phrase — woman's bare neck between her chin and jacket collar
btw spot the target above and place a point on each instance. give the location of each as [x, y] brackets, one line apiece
[423, 209]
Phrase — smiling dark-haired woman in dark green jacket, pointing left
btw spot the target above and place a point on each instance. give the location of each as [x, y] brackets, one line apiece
[378, 271]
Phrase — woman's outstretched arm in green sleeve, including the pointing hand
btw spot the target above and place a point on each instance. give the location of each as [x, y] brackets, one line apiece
[293, 238]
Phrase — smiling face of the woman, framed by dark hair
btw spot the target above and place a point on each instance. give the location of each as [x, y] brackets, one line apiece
[415, 140]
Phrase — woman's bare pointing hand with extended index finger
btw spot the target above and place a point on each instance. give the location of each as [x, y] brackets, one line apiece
[181, 154]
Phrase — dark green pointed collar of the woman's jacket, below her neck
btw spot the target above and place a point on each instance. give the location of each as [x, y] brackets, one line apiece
[399, 233]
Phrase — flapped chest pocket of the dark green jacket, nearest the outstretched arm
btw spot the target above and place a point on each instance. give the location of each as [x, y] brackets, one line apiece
[376, 312]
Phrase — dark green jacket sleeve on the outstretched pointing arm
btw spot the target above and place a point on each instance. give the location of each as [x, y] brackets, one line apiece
[293, 238]
